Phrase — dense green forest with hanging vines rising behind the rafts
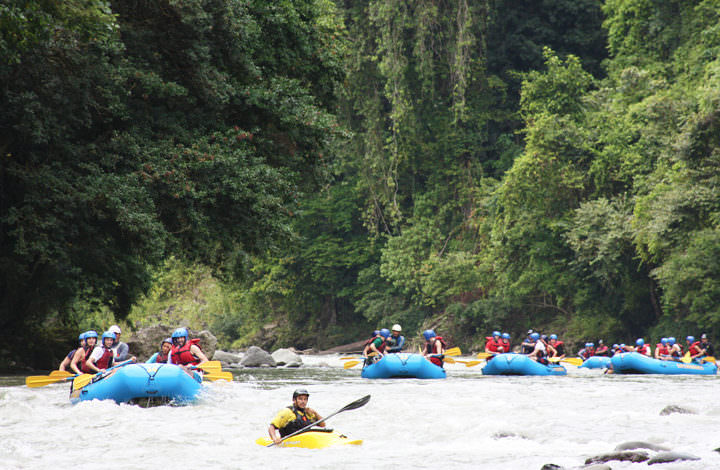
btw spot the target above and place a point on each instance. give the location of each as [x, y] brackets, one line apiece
[311, 169]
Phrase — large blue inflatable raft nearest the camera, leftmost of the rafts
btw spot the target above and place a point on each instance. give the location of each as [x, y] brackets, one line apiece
[143, 384]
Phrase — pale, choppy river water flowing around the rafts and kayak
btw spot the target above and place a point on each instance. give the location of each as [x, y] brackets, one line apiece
[468, 421]
